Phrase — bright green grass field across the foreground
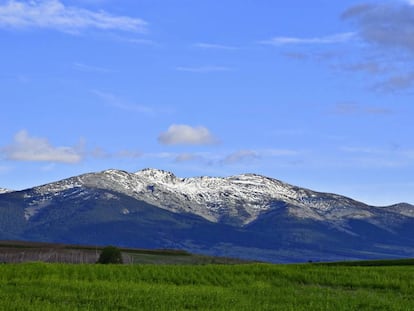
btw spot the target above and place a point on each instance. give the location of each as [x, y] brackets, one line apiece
[39, 286]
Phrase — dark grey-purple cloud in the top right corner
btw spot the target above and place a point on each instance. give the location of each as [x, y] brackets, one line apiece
[388, 29]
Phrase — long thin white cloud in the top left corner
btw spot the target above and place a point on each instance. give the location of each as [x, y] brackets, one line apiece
[53, 14]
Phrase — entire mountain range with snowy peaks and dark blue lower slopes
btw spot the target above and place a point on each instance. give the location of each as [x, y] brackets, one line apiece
[246, 216]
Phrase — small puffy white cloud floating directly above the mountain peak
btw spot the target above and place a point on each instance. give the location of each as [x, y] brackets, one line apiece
[181, 134]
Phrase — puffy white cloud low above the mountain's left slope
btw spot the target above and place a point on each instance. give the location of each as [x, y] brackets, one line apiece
[27, 148]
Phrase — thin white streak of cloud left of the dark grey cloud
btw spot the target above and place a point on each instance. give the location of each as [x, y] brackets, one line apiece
[332, 39]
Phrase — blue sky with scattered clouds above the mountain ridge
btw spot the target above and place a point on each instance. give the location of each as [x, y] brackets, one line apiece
[315, 93]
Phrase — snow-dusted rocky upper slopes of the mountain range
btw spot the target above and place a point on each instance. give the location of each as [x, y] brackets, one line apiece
[238, 199]
